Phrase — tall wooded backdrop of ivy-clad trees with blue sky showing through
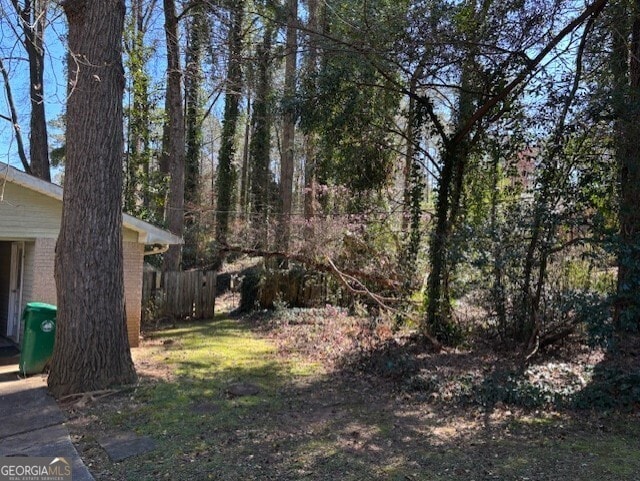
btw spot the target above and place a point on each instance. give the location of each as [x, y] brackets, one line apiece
[428, 154]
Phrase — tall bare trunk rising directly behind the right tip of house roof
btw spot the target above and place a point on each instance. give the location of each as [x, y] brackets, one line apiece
[174, 146]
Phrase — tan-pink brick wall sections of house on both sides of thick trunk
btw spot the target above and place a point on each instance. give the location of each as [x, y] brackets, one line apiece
[44, 286]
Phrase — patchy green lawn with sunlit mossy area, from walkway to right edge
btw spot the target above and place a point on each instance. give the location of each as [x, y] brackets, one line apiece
[313, 421]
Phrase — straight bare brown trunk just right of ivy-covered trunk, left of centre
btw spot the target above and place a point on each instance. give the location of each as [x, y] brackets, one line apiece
[288, 133]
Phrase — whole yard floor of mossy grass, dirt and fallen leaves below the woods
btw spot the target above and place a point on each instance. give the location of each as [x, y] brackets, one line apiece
[342, 398]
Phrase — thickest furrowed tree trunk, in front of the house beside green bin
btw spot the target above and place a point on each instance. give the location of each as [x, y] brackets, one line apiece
[91, 350]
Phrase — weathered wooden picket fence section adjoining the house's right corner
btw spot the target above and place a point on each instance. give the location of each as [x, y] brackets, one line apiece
[179, 295]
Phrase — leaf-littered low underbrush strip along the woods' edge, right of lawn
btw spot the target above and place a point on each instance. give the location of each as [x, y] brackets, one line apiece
[572, 376]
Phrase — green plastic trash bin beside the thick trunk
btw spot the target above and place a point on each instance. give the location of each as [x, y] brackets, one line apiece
[39, 333]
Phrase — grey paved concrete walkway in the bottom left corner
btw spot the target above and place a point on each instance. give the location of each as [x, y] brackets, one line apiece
[32, 423]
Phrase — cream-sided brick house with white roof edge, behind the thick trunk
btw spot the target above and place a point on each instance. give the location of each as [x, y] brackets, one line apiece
[30, 216]
